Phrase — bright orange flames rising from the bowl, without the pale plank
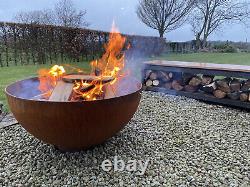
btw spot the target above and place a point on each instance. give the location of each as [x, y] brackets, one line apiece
[110, 65]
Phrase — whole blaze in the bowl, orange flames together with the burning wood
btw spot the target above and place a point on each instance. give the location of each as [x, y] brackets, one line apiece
[101, 83]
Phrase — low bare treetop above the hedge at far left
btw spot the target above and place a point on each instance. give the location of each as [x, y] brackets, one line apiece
[36, 17]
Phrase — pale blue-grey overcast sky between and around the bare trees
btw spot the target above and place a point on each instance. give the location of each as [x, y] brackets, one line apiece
[100, 14]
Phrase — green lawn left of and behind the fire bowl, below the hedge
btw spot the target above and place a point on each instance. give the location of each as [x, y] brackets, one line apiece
[13, 73]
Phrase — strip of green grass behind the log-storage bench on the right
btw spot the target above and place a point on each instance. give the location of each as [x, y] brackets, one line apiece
[218, 58]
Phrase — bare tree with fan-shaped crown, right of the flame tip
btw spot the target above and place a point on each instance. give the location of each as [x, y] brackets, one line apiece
[164, 15]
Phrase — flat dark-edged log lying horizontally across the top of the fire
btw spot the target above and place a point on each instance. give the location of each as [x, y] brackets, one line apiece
[87, 78]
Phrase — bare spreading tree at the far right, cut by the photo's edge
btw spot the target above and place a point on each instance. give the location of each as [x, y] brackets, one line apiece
[211, 15]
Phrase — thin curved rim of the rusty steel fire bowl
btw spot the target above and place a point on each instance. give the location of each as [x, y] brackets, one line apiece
[139, 89]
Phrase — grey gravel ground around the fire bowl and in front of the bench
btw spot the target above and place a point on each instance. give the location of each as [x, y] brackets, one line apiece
[189, 143]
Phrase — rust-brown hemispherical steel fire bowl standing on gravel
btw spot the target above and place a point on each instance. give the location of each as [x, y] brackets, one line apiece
[71, 126]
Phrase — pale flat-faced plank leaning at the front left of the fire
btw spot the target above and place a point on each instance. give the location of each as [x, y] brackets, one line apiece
[62, 91]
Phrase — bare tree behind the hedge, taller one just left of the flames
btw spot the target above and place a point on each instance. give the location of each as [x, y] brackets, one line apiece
[68, 15]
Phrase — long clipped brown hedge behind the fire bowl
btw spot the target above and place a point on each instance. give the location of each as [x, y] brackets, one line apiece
[41, 44]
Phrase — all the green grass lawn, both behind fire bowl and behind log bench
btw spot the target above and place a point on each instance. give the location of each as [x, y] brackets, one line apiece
[13, 73]
